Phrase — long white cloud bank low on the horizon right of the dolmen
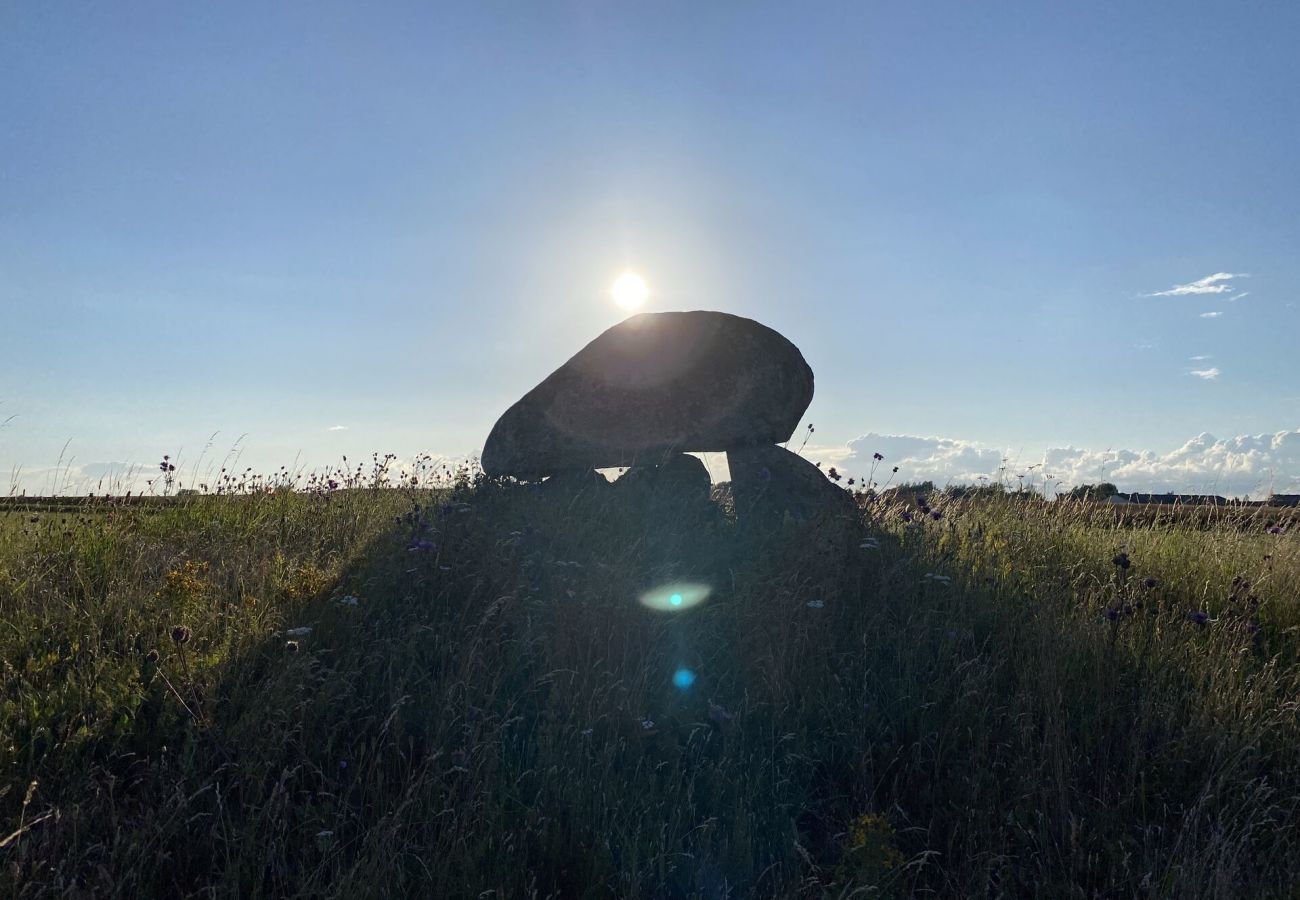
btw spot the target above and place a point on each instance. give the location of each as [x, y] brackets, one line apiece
[1247, 465]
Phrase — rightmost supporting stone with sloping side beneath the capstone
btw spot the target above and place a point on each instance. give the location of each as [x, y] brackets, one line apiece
[772, 482]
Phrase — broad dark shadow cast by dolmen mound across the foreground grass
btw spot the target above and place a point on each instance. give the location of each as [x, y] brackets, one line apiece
[499, 712]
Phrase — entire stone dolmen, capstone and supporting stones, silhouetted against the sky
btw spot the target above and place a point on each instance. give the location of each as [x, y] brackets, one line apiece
[664, 384]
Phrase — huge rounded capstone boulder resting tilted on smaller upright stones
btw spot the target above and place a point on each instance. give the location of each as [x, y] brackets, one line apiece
[656, 384]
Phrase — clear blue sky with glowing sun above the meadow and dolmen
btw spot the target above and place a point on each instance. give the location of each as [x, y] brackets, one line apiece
[267, 222]
